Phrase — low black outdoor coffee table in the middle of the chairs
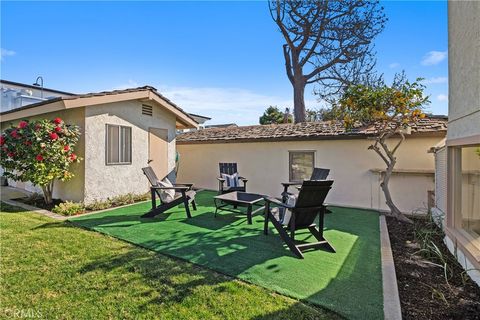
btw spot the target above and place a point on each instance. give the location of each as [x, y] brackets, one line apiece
[237, 198]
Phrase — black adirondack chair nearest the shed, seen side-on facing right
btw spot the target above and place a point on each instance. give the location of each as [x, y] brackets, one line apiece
[184, 193]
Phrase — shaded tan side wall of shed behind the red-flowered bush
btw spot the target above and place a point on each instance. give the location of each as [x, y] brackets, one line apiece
[73, 189]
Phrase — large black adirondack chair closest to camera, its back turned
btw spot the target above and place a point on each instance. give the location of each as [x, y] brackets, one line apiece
[309, 205]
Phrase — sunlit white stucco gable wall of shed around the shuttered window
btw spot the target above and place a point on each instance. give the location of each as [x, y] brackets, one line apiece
[103, 181]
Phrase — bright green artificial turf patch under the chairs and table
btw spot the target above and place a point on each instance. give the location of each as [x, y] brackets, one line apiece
[348, 282]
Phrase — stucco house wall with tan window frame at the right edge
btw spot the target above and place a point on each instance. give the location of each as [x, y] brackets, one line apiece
[463, 127]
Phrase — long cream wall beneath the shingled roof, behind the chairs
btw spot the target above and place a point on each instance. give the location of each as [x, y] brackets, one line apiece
[265, 164]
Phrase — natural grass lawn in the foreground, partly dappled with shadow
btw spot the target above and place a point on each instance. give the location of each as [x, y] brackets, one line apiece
[59, 271]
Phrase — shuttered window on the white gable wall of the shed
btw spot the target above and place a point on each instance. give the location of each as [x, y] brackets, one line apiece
[118, 145]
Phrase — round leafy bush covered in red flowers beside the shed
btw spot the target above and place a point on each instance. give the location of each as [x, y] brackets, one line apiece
[39, 151]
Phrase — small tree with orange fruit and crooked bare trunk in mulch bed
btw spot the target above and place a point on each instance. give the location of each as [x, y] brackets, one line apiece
[390, 109]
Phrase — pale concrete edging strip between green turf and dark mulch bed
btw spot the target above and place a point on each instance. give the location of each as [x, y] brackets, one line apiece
[391, 299]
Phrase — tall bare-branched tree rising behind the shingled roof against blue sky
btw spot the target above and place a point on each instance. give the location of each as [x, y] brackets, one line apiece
[329, 43]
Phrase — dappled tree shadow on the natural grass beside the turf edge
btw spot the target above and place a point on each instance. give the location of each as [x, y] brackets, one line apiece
[172, 282]
